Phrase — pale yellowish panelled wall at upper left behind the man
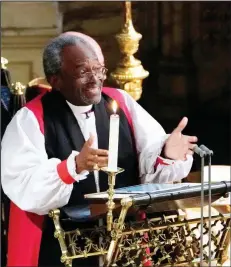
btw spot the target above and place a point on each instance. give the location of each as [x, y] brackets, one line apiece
[26, 28]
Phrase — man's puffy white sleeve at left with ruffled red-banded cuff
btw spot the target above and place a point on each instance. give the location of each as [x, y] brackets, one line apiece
[29, 178]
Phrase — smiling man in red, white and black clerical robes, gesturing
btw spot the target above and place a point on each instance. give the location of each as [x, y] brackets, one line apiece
[52, 146]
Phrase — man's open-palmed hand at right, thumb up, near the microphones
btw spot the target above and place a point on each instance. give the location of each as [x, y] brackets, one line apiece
[178, 145]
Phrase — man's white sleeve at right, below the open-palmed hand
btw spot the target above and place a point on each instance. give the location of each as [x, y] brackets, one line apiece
[150, 138]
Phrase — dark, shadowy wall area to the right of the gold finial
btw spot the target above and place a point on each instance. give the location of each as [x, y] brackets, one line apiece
[188, 58]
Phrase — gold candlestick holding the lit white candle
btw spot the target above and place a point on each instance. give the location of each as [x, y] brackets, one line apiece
[111, 191]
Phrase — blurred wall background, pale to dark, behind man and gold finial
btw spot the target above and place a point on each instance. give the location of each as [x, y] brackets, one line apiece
[185, 46]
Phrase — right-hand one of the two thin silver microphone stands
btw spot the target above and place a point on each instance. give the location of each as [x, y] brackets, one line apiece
[209, 153]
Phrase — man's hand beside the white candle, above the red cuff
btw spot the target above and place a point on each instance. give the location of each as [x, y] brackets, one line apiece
[89, 157]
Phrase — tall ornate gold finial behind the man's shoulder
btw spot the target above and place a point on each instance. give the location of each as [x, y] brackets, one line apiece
[130, 73]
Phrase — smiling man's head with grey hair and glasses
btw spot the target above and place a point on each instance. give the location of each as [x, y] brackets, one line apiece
[74, 65]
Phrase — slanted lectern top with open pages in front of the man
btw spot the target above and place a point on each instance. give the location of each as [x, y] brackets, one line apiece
[185, 195]
